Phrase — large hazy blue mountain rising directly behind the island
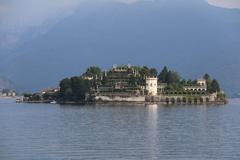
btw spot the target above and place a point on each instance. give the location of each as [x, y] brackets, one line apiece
[191, 37]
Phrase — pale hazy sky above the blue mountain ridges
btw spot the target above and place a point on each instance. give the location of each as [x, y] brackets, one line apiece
[19, 16]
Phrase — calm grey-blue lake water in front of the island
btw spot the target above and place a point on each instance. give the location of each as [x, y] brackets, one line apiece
[55, 132]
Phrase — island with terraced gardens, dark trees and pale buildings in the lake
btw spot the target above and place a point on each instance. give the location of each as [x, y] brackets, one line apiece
[136, 84]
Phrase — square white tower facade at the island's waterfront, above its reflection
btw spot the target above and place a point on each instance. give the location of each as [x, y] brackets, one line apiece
[151, 85]
